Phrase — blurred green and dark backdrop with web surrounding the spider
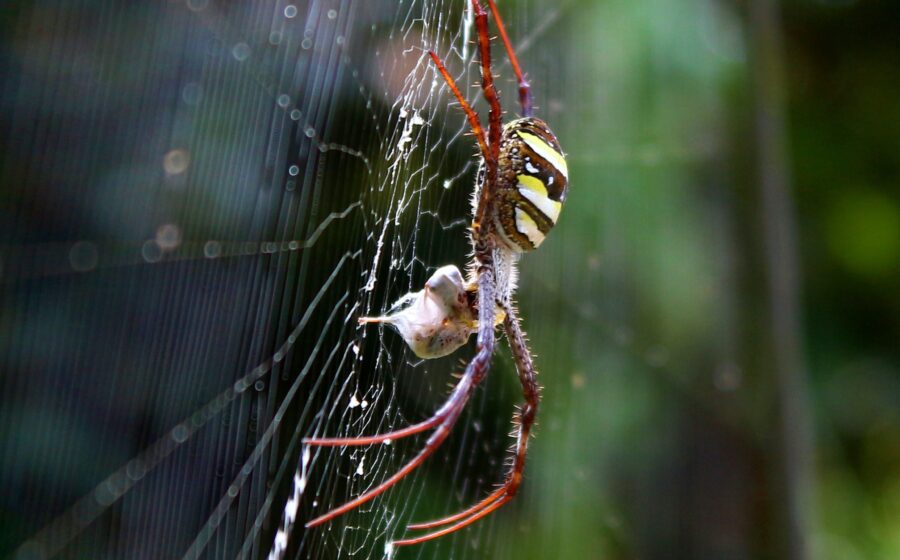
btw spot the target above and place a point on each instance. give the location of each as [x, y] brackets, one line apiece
[715, 318]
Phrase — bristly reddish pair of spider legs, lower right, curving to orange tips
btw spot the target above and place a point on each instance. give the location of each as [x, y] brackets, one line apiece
[525, 420]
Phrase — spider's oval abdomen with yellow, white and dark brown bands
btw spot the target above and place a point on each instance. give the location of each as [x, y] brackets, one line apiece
[533, 179]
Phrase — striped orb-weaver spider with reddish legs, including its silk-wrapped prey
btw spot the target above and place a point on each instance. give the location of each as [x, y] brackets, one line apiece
[520, 186]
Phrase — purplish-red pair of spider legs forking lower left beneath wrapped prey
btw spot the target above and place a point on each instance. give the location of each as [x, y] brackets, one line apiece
[474, 374]
